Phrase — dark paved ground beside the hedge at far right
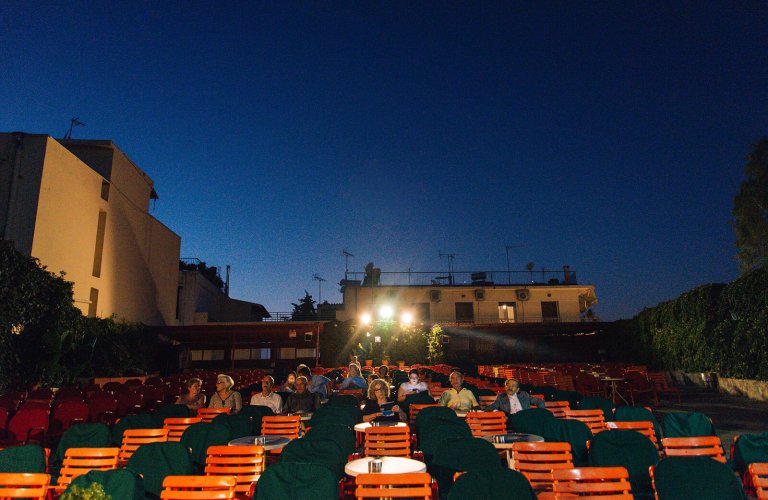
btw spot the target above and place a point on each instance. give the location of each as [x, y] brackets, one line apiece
[731, 414]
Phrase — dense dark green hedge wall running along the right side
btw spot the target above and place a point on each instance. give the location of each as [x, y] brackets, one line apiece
[720, 328]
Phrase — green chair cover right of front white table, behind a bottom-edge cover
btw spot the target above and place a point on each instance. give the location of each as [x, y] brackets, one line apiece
[461, 455]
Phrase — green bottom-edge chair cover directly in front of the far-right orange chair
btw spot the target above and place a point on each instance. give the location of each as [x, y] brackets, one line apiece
[696, 478]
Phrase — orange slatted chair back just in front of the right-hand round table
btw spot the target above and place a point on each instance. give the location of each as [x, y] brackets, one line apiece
[536, 461]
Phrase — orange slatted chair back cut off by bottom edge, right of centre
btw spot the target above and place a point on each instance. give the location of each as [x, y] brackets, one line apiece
[609, 483]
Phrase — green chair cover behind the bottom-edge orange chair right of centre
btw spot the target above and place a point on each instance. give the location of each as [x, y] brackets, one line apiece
[628, 449]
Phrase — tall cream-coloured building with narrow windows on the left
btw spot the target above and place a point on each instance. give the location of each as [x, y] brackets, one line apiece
[82, 207]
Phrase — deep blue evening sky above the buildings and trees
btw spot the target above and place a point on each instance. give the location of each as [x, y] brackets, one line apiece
[610, 136]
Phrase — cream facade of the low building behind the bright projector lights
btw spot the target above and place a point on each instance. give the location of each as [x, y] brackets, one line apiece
[493, 304]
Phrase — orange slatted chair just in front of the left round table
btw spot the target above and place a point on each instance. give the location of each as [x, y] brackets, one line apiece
[245, 463]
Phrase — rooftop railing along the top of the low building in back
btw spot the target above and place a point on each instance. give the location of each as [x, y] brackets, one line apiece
[462, 278]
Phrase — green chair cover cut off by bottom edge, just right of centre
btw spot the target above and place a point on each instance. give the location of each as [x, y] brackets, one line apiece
[494, 484]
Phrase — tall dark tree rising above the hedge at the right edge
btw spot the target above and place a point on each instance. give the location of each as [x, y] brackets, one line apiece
[750, 211]
